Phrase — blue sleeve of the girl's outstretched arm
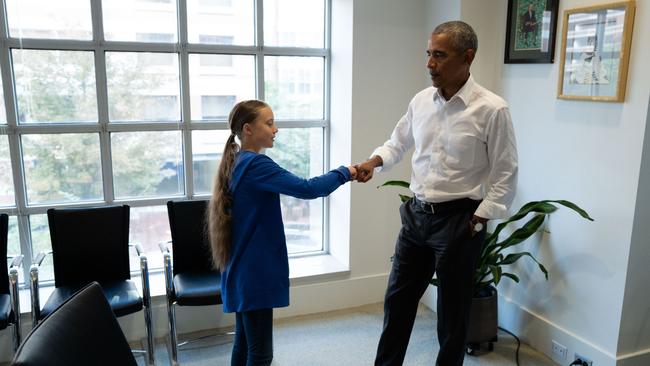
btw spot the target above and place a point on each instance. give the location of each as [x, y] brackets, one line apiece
[267, 175]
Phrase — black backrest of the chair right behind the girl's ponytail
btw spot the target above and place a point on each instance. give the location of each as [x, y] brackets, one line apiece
[190, 243]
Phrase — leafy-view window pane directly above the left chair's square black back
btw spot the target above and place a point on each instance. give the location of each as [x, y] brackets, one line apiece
[62, 168]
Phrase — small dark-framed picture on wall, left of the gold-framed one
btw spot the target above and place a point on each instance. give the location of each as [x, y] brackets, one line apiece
[530, 34]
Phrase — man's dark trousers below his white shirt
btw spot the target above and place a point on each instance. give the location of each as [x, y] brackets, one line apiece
[428, 243]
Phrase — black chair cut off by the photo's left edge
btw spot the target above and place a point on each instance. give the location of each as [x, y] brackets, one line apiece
[9, 300]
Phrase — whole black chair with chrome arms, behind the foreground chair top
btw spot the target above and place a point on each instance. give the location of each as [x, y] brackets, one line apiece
[92, 244]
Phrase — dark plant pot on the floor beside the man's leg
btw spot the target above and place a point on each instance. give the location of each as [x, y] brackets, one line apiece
[483, 318]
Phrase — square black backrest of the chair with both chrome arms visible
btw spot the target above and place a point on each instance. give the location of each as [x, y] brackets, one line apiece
[89, 244]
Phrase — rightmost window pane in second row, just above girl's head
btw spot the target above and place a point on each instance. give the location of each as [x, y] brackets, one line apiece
[293, 86]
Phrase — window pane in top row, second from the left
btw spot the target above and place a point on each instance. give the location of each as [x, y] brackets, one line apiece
[124, 20]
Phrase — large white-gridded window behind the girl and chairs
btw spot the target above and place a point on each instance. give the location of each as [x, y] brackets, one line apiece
[132, 115]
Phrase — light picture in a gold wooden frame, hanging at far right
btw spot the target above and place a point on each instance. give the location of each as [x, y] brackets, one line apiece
[596, 51]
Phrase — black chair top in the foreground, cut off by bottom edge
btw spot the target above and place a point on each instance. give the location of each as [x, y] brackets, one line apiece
[82, 331]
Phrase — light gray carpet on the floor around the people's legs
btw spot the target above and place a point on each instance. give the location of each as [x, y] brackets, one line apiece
[348, 338]
